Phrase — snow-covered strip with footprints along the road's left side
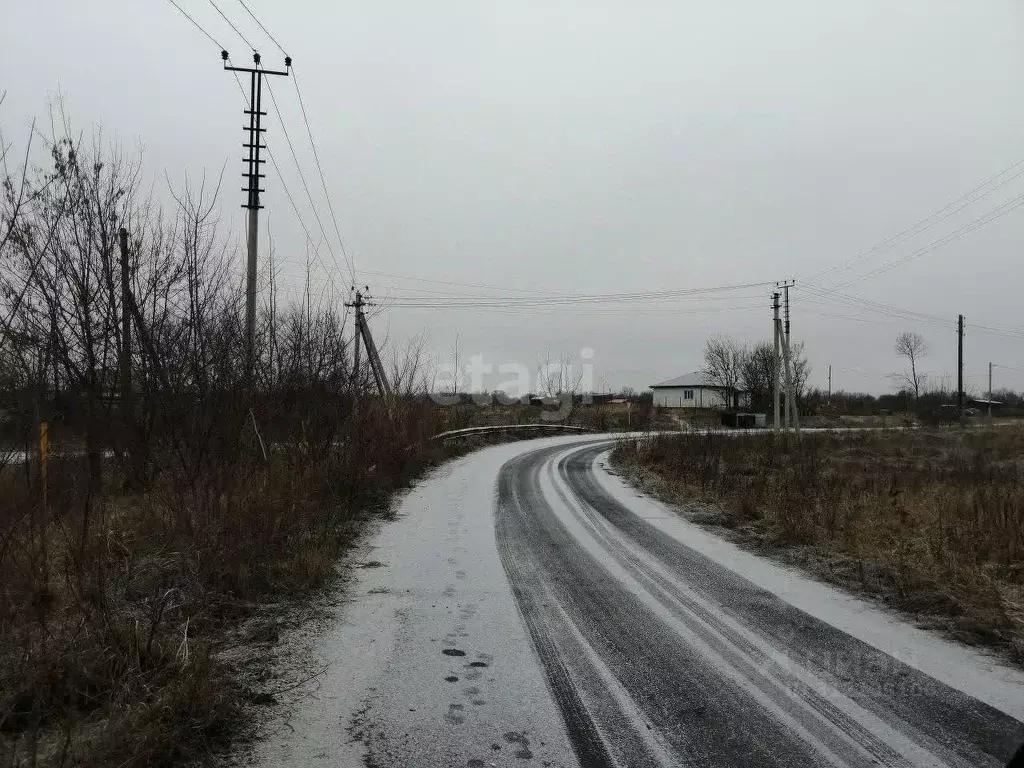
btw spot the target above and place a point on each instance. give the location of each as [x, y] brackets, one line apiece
[432, 582]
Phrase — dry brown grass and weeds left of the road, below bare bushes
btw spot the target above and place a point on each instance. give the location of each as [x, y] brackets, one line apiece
[118, 613]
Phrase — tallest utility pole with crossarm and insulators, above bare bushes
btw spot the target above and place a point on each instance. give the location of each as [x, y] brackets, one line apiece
[253, 162]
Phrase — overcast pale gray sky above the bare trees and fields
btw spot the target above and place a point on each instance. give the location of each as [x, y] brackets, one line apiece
[599, 148]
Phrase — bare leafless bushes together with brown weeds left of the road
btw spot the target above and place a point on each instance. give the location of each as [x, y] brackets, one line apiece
[181, 501]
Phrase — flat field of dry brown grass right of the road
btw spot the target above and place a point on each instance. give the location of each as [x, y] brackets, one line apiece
[930, 522]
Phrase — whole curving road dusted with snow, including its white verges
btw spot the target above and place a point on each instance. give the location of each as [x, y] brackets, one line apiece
[530, 609]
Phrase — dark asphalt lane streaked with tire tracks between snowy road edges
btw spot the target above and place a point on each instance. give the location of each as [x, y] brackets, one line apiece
[721, 671]
